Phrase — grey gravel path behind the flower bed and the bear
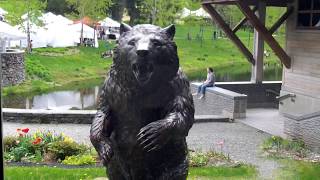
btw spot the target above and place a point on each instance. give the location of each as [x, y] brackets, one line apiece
[241, 142]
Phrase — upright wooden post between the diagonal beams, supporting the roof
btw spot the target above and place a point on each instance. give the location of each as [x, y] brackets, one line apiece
[258, 46]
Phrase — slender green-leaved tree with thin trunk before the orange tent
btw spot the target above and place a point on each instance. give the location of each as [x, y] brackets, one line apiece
[94, 9]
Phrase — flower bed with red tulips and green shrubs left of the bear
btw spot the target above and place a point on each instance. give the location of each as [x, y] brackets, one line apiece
[47, 147]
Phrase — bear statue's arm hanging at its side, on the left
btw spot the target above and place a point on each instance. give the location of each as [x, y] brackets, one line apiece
[101, 129]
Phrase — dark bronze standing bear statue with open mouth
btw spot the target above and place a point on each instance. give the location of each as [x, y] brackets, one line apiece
[146, 108]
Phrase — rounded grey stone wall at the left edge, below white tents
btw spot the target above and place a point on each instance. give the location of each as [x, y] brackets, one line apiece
[13, 68]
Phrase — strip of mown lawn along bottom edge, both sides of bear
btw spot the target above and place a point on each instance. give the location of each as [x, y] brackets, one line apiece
[48, 173]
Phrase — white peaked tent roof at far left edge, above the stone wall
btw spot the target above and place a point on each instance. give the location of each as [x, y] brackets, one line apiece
[10, 33]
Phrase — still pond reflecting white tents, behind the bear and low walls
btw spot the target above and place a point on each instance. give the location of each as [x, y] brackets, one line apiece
[86, 98]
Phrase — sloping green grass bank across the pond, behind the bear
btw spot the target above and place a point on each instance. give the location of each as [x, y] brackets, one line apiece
[52, 68]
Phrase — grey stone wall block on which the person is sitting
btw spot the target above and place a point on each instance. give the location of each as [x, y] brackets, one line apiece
[221, 102]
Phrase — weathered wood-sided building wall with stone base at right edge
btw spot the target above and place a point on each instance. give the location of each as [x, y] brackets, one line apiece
[303, 80]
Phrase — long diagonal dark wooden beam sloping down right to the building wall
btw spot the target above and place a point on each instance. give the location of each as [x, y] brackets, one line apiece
[274, 45]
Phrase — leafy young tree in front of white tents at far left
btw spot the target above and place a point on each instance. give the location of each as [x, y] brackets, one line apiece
[24, 13]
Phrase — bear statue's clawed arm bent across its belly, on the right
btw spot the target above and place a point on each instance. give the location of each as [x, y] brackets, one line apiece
[176, 124]
